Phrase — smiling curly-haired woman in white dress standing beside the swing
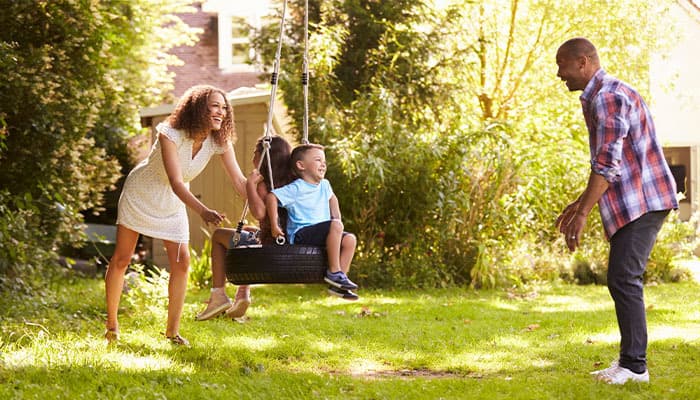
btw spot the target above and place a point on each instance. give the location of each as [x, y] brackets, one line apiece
[156, 192]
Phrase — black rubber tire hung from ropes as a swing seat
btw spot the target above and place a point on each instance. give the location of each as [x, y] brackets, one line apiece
[276, 264]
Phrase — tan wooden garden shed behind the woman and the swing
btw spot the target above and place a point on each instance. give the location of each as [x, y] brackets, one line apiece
[212, 186]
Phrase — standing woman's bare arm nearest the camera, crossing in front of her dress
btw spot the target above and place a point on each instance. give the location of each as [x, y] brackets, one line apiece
[171, 163]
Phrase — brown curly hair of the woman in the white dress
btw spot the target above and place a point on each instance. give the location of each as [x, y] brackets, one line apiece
[191, 114]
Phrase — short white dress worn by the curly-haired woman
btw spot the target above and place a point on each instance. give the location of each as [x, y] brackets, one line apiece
[147, 203]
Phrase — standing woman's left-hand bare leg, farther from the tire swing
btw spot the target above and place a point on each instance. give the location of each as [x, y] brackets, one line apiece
[114, 278]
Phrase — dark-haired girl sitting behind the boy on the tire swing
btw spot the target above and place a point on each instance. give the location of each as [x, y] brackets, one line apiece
[258, 186]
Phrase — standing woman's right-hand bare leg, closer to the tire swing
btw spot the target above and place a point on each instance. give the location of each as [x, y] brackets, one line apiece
[179, 259]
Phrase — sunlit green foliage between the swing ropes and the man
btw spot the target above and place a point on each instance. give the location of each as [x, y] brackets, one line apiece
[452, 146]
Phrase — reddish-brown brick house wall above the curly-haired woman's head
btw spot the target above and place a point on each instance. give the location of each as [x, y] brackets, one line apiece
[202, 59]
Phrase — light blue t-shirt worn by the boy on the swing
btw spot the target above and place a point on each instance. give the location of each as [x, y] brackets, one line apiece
[307, 204]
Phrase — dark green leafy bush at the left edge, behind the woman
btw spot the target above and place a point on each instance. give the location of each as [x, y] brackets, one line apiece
[74, 75]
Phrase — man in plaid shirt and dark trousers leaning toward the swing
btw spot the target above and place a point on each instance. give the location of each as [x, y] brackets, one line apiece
[633, 187]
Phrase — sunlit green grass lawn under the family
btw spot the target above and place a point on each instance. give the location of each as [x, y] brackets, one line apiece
[299, 343]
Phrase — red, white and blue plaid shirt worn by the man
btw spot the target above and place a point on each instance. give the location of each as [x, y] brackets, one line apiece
[626, 152]
